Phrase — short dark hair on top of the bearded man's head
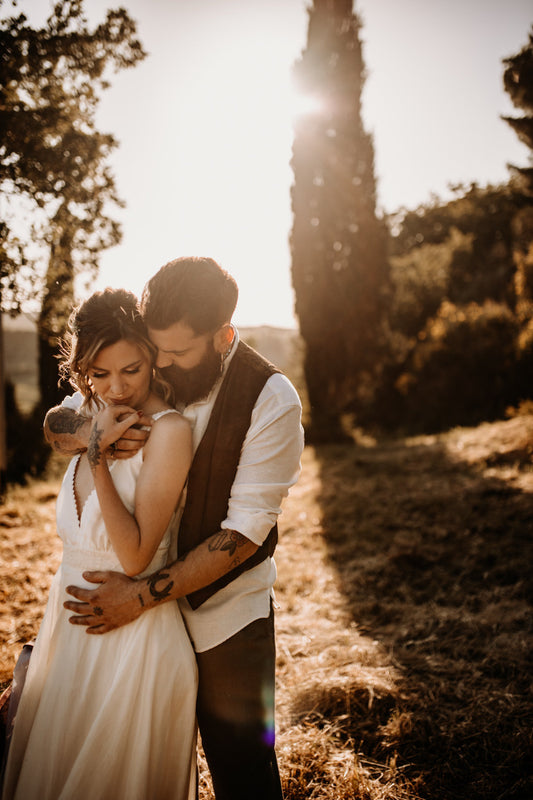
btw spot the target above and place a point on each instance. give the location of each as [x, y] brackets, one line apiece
[195, 290]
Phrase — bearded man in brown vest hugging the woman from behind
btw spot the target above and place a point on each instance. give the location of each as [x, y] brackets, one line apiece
[247, 434]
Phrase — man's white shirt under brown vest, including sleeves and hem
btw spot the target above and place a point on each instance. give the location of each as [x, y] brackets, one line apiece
[268, 467]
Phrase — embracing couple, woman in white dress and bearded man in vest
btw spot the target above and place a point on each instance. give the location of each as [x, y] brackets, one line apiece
[184, 443]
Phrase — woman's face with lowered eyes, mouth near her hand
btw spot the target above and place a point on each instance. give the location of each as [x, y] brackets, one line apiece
[121, 374]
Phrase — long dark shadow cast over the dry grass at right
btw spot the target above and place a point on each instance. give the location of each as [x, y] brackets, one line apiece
[434, 557]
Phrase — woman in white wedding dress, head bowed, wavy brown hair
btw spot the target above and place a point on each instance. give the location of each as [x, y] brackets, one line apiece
[112, 717]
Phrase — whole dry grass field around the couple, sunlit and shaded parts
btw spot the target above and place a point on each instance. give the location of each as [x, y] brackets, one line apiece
[404, 623]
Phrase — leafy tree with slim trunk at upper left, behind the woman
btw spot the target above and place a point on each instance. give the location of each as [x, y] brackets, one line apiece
[53, 161]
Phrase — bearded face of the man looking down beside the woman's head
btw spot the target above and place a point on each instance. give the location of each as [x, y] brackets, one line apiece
[190, 362]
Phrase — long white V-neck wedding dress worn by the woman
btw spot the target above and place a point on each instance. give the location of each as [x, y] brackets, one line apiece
[111, 716]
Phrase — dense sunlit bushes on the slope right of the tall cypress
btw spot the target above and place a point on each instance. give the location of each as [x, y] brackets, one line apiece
[460, 345]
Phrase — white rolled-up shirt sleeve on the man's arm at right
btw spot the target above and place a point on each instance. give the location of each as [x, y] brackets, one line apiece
[269, 463]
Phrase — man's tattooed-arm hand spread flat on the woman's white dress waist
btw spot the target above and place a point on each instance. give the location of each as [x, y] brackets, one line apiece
[114, 602]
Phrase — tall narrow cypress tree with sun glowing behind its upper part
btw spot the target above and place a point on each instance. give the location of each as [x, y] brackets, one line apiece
[338, 245]
